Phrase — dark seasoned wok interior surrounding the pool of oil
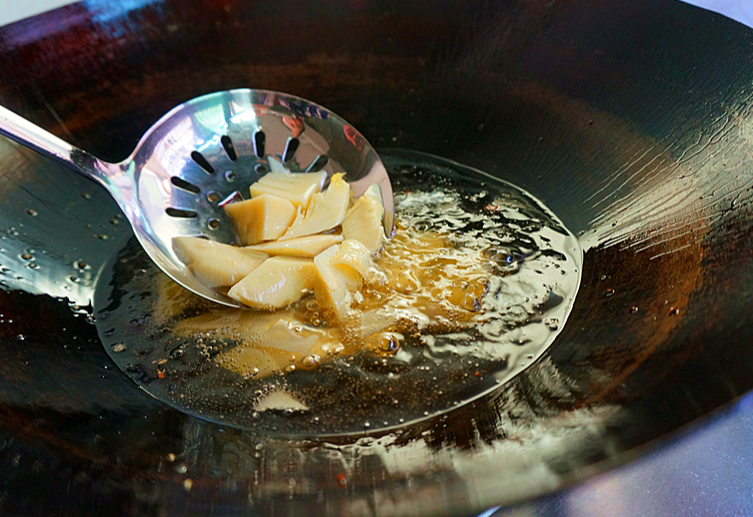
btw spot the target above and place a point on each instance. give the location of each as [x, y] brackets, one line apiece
[631, 120]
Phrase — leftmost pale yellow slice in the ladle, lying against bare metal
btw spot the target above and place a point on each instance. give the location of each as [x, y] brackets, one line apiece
[216, 264]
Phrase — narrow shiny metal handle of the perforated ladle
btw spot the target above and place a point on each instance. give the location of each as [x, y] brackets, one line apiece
[37, 139]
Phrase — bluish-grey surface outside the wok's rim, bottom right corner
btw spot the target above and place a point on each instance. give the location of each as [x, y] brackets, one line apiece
[704, 471]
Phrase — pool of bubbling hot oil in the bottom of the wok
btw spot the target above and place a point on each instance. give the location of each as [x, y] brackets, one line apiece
[476, 283]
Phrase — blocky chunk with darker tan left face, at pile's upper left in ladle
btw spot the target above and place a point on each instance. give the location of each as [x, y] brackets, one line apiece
[263, 218]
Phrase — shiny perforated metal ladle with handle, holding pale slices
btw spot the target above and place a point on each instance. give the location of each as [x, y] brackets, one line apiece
[207, 151]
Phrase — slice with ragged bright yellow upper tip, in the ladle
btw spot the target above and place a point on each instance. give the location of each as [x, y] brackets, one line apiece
[324, 211]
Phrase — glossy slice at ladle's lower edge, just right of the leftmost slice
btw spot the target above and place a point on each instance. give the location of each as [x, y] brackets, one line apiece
[278, 282]
